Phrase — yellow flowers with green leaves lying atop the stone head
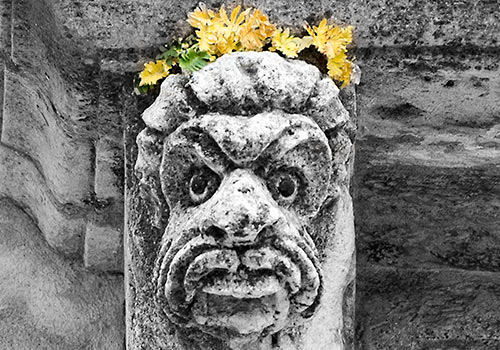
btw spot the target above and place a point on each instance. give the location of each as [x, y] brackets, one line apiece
[217, 34]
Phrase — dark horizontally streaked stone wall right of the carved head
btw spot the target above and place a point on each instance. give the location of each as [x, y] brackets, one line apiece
[427, 182]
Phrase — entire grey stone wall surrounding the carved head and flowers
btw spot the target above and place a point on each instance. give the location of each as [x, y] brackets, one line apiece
[426, 181]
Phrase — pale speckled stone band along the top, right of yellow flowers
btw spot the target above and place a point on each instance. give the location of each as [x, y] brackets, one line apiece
[387, 22]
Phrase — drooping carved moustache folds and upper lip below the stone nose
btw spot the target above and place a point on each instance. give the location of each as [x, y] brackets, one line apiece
[189, 268]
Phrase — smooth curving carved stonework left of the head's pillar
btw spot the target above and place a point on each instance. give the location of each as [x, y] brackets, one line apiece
[61, 203]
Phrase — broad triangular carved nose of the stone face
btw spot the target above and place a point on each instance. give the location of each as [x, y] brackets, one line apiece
[243, 209]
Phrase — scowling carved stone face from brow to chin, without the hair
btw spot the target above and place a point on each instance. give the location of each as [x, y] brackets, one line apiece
[240, 262]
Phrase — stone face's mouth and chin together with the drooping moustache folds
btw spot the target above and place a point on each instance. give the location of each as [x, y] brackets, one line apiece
[239, 294]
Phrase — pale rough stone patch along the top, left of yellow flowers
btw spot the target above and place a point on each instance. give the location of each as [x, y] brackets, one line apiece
[130, 23]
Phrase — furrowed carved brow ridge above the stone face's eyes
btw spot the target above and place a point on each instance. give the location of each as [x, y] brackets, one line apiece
[225, 150]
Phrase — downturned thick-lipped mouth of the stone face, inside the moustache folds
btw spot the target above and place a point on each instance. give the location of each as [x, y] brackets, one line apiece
[242, 294]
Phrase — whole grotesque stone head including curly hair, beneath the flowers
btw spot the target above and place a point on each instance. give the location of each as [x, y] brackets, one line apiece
[248, 163]
